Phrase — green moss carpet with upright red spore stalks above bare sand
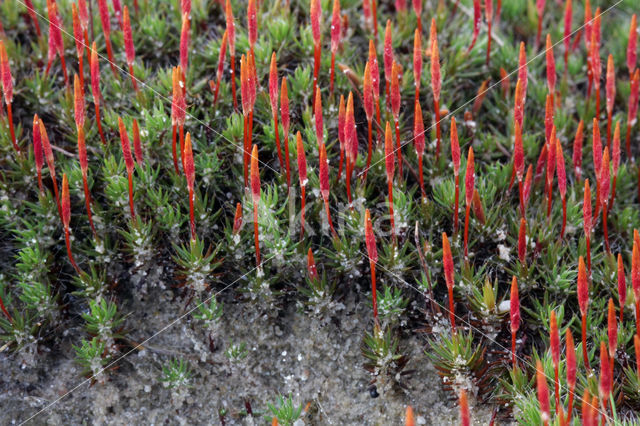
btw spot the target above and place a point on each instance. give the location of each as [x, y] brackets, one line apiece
[494, 308]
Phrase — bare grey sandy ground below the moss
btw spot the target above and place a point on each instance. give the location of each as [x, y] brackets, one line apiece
[317, 361]
